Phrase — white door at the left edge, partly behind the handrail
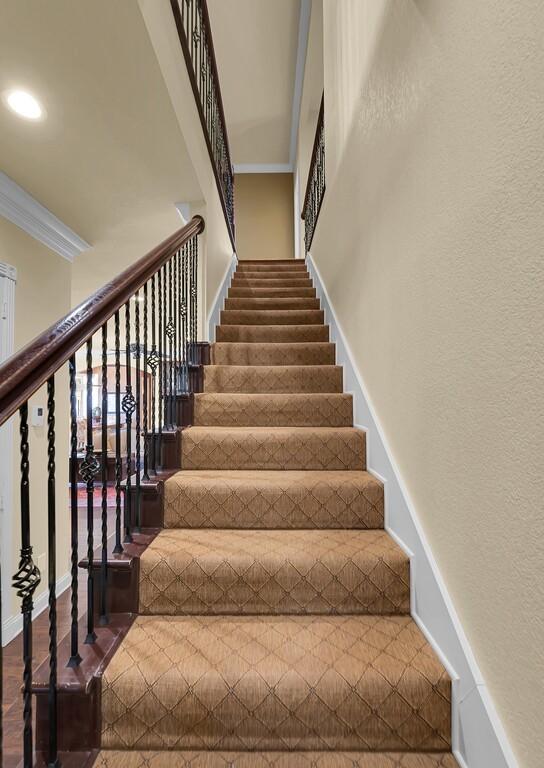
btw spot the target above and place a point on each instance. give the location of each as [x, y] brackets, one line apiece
[8, 276]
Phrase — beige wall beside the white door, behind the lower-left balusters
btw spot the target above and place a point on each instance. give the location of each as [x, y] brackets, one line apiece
[42, 295]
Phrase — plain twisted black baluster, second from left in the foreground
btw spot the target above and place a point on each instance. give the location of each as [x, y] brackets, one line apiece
[53, 761]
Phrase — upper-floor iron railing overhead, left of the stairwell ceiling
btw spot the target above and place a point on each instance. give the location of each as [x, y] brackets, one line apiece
[194, 30]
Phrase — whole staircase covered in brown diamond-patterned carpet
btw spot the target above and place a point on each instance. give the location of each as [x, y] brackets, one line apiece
[274, 625]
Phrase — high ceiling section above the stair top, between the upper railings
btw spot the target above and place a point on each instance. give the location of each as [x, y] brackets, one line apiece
[255, 45]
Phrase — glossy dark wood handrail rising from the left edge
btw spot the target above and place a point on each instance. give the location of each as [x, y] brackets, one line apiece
[26, 371]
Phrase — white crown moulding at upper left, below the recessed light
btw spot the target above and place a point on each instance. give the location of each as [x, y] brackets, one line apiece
[32, 217]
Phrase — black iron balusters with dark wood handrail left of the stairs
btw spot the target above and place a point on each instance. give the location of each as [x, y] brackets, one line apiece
[150, 312]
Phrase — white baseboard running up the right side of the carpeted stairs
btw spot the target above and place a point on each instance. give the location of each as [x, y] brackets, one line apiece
[478, 737]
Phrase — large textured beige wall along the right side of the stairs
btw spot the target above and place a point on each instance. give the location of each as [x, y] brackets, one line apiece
[430, 244]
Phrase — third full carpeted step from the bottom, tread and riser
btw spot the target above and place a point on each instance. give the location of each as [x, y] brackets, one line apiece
[271, 499]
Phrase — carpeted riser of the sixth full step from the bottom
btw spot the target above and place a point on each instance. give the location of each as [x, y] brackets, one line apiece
[277, 379]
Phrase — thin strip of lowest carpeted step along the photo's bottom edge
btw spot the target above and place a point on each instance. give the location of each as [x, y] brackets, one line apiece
[217, 759]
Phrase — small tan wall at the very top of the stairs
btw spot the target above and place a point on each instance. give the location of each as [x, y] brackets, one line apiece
[264, 216]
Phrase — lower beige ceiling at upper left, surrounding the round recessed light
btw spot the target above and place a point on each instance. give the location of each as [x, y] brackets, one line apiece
[109, 160]
